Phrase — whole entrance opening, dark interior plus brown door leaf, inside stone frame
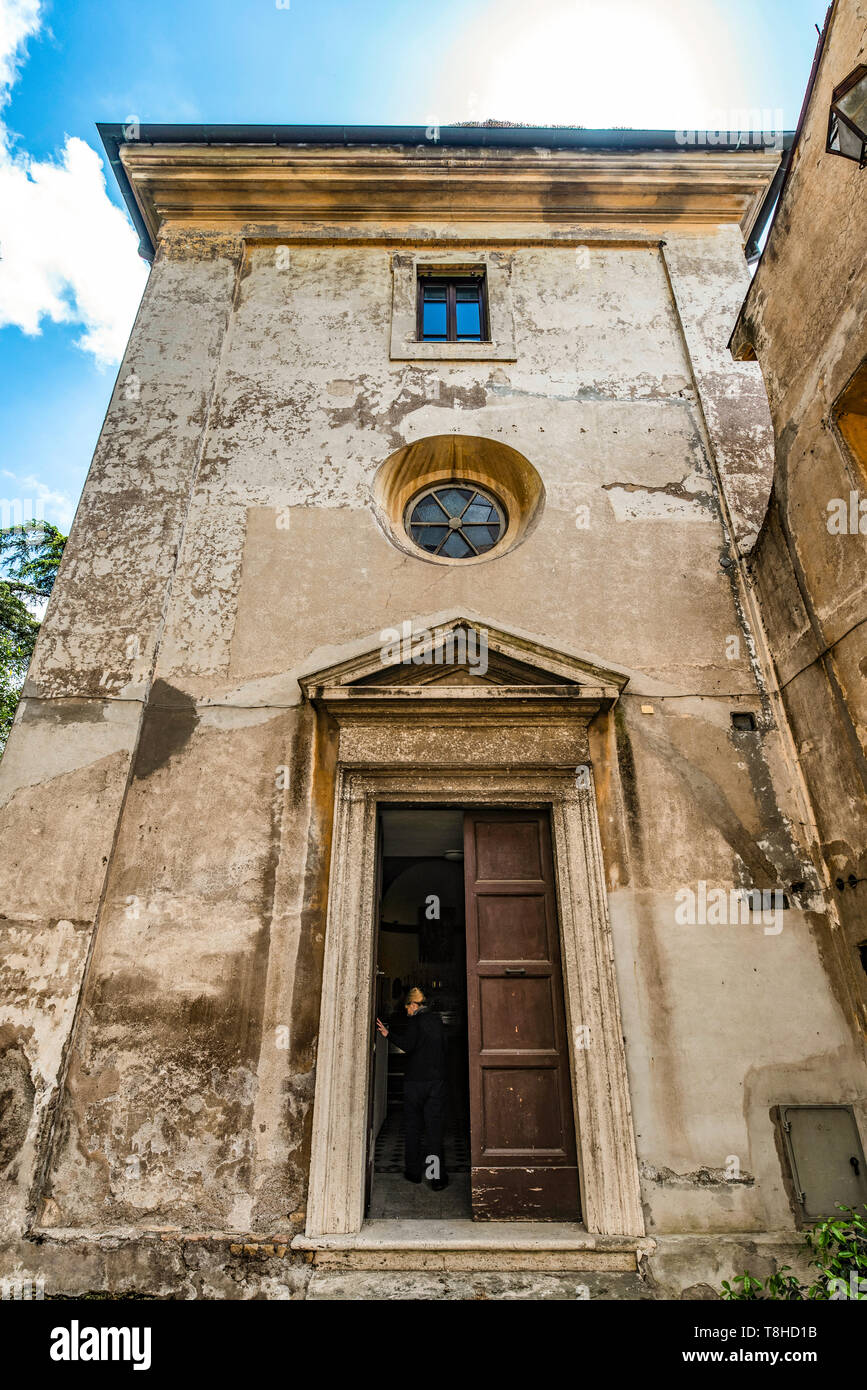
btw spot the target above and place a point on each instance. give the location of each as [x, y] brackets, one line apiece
[469, 917]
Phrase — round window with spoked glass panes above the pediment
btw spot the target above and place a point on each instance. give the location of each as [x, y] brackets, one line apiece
[455, 521]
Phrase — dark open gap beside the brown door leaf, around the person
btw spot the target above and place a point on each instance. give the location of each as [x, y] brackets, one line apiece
[422, 943]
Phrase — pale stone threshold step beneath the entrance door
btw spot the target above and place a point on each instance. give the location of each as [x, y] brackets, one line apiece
[468, 1245]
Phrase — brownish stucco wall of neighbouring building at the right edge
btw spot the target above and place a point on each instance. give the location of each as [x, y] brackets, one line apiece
[807, 319]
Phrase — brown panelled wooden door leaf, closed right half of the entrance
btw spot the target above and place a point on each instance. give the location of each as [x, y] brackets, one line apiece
[522, 1124]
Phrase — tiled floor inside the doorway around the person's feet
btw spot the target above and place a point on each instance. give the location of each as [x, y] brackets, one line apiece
[393, 1196]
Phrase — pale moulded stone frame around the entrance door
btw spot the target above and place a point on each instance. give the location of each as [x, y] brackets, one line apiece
[601, 1096]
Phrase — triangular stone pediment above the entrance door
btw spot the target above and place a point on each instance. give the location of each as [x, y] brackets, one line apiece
[463, 654]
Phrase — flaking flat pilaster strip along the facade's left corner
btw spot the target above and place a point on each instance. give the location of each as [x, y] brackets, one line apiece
[66, 771]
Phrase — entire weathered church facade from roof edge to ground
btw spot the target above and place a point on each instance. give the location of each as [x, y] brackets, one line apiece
[411, 586]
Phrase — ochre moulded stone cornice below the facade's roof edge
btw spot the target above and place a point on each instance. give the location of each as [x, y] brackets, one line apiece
[231, 187]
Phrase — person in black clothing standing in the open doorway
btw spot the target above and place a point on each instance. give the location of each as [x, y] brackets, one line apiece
[422, 1038]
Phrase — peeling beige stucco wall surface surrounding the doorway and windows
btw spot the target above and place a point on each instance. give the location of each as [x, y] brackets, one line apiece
[227, 541]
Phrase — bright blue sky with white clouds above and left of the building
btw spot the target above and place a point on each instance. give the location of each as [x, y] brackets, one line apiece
[70, 277]
